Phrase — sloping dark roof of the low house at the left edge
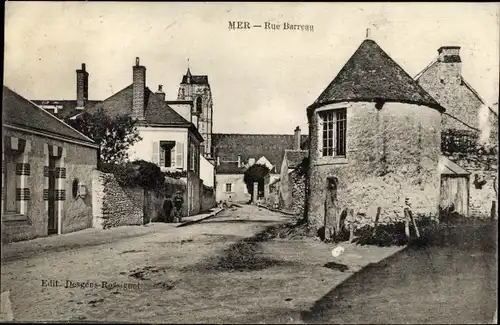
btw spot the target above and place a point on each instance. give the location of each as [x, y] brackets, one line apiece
[19, 111]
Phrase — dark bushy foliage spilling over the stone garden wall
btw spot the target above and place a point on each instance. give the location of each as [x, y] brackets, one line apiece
[137, 173]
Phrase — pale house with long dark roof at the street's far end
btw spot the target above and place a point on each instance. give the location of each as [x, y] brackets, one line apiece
[236, 152]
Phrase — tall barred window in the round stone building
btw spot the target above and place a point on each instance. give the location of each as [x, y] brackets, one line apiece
[333, 132]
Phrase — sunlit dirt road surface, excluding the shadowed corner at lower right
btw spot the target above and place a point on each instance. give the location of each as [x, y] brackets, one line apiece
[217, 271]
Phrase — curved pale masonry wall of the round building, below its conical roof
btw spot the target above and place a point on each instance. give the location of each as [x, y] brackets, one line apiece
[391, 154]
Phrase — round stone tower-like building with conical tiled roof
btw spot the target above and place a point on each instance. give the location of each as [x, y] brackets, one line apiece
[374, 143]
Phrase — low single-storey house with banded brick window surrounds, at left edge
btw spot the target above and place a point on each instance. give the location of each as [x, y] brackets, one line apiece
[46, 172]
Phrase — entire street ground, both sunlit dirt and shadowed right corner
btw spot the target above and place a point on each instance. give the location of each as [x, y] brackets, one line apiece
[222, 271]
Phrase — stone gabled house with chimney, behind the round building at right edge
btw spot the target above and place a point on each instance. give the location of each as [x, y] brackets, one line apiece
[469, 128]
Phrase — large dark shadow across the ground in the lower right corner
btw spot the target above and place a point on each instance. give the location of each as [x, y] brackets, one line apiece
[453, 281]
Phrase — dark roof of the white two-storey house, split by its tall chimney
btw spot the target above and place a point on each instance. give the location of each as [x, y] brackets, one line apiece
[156, 111]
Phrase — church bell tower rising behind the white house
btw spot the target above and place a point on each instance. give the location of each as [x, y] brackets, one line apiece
[197, 89]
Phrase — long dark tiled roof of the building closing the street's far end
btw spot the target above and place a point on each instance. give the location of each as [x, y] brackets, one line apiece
[228, 146]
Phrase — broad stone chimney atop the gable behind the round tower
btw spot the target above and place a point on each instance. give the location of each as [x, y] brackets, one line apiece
[451, 65]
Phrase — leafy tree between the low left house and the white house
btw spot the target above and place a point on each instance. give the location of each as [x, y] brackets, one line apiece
[113, 135]
